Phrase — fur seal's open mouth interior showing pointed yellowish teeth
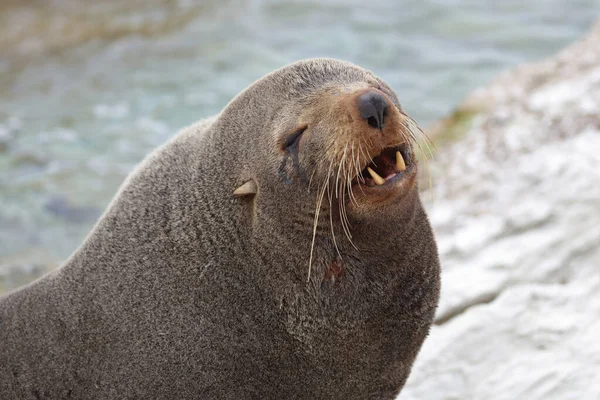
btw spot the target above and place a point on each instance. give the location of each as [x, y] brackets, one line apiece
[386, 167]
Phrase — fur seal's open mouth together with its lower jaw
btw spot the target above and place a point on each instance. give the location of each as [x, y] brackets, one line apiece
[389, 174]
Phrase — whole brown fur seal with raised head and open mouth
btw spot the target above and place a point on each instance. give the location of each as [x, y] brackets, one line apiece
[278, 250]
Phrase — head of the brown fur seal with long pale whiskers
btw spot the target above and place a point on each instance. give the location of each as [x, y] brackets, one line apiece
[334, 157]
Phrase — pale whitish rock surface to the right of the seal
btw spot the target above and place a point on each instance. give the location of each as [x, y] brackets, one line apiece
[516, 210]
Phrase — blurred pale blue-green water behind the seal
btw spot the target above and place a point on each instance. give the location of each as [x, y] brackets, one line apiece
[88, 88]
